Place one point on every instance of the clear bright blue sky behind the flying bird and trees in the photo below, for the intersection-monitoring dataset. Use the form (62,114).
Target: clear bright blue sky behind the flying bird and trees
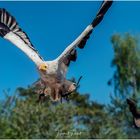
(52,26)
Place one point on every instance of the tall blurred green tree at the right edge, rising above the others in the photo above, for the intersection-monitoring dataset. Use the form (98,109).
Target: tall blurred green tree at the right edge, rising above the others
(126,83)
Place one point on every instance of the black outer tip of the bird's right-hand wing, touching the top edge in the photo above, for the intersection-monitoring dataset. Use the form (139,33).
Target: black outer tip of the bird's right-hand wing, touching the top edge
(103,9)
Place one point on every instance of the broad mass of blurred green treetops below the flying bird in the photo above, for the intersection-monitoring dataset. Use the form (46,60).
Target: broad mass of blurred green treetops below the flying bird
(27,118)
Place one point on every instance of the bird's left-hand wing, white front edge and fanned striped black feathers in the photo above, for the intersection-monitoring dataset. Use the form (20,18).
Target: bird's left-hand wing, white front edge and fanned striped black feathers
(10,30)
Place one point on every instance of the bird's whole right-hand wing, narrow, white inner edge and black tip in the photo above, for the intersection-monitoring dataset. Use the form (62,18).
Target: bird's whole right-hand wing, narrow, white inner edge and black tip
(70,54)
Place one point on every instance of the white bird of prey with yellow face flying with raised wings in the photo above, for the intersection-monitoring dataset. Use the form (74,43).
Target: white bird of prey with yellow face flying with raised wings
(52,73)
